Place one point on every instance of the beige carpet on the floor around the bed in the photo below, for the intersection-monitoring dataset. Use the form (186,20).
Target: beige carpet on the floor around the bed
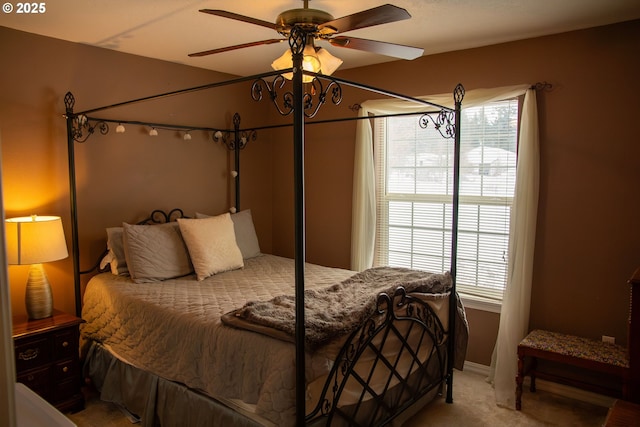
(473,405)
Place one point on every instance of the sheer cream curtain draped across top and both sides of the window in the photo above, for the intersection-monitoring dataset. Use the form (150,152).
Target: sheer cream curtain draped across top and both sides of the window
(514,318)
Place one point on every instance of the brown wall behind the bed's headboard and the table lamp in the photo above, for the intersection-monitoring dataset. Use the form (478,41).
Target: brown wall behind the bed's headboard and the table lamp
(120,177)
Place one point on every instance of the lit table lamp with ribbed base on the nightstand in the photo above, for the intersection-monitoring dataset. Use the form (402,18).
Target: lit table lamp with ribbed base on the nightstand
(33,240)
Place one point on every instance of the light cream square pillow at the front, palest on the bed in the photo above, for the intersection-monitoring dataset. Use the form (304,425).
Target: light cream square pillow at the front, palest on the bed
(212,244)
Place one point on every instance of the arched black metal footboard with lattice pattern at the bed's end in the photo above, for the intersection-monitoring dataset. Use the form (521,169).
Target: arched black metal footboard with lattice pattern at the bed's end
(387,365)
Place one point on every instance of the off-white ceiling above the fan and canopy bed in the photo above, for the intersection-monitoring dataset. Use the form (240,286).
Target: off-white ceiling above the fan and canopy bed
(170,29)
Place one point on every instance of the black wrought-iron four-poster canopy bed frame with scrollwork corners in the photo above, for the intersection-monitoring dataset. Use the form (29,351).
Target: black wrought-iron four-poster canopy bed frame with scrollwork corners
(302,105)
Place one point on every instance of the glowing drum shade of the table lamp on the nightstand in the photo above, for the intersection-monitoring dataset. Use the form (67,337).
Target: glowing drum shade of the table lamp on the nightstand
(35,239)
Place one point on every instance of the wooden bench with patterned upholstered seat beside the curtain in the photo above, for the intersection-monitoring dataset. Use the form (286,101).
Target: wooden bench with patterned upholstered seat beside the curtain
(610,359)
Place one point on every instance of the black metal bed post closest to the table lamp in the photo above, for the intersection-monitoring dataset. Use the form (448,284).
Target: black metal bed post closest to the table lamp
(69,102)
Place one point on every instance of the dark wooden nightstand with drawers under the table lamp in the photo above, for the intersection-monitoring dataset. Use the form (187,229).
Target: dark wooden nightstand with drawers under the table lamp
(47,358)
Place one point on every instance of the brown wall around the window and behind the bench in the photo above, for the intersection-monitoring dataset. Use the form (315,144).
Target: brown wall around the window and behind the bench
(588,235)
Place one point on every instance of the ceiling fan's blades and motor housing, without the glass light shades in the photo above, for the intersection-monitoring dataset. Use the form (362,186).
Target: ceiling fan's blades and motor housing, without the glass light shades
(320,25)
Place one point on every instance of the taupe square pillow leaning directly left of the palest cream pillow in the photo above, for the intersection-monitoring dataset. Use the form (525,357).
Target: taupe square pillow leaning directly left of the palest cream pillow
(155,252)
